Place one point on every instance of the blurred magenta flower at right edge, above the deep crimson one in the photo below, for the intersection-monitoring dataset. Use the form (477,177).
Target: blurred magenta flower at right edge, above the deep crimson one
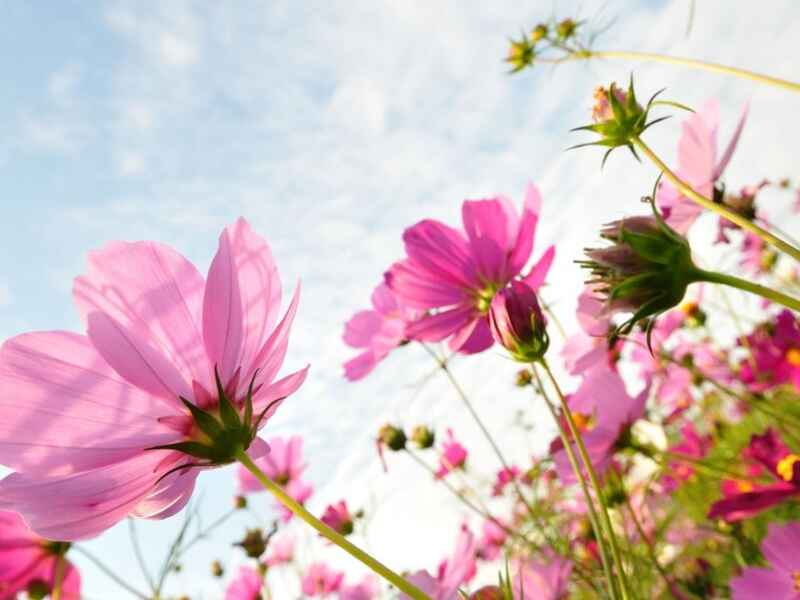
(775,354)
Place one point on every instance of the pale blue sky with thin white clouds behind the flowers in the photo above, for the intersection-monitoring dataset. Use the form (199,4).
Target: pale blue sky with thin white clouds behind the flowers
(332,126)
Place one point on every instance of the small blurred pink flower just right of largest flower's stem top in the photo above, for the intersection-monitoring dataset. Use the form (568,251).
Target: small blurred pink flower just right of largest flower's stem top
(284,465)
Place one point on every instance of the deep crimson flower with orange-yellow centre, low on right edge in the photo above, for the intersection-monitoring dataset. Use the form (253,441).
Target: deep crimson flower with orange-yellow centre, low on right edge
(744,499)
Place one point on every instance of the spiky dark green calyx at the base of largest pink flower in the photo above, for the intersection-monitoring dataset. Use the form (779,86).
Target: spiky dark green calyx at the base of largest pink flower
(219,434)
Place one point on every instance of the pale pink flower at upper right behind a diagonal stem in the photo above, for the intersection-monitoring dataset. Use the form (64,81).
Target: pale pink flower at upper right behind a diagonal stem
(697,165)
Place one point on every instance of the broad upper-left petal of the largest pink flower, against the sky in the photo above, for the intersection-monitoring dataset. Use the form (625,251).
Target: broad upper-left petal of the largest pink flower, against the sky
(152,291)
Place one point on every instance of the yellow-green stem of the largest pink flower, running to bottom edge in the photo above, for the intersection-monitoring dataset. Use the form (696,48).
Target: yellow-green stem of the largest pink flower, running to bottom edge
(379,568)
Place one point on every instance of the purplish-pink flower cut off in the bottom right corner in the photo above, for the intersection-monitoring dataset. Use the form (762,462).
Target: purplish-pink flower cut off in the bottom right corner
(779,581)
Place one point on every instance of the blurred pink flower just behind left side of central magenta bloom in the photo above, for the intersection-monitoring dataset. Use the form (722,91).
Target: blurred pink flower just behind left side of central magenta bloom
(377,332)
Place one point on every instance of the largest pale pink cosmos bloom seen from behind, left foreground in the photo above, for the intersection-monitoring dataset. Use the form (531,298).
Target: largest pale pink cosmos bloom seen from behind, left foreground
(114,423)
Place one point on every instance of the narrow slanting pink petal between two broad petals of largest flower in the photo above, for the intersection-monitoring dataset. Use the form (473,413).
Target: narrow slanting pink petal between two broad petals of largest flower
(135,359)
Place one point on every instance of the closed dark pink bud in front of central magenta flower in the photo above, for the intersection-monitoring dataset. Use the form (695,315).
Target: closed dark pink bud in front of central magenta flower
(517,322)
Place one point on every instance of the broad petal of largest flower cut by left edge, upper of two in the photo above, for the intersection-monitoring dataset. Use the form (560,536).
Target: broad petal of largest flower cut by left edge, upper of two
(83,413)
